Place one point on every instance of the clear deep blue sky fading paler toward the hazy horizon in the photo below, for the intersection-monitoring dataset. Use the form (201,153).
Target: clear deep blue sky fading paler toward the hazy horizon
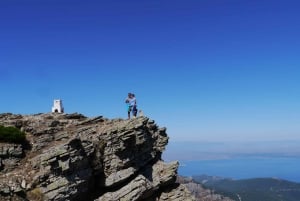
(208,70)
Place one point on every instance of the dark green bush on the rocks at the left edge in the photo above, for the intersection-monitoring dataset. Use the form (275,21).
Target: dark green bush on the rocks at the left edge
(11,134)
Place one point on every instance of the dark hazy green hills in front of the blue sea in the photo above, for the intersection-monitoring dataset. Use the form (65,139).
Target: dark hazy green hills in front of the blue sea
(258,189)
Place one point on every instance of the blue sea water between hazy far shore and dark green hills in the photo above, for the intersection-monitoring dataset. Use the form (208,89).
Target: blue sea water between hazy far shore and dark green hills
(287,168)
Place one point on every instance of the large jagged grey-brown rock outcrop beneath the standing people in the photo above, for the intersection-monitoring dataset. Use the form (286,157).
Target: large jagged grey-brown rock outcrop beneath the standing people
(72,157)
